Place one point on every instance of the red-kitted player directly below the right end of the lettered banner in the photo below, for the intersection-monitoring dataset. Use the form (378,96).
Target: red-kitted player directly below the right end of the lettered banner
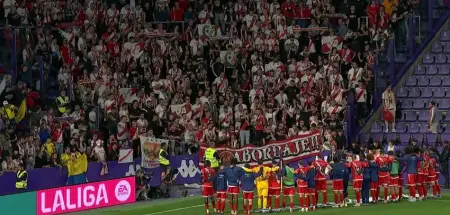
(321,183)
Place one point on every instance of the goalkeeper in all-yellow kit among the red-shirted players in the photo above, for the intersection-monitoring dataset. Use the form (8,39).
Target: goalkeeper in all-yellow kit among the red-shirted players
(262,185)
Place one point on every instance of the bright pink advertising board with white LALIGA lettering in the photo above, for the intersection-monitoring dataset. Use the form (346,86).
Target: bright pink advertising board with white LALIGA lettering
(86,196)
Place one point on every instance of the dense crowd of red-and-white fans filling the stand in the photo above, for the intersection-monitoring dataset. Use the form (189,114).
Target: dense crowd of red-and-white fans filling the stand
(193,71)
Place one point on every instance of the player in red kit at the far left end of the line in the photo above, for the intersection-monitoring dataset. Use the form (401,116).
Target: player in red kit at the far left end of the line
(207,189)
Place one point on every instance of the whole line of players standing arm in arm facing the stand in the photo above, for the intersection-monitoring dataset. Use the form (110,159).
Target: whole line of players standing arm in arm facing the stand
(369,175)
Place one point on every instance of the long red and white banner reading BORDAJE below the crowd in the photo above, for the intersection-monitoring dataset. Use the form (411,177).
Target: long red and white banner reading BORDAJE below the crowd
(293,149)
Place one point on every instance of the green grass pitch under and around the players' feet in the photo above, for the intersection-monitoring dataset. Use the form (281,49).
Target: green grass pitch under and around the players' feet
(194,206)
